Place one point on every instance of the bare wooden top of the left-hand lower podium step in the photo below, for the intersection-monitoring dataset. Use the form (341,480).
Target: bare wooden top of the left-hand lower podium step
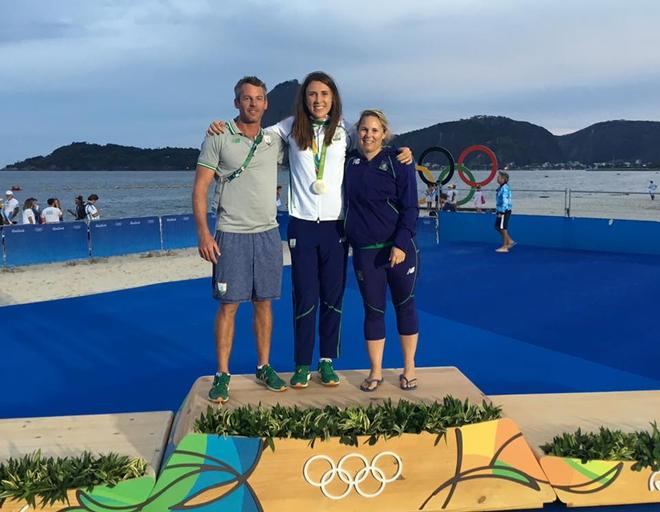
(136,435)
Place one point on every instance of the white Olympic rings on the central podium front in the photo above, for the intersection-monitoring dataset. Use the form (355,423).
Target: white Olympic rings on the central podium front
(352,481)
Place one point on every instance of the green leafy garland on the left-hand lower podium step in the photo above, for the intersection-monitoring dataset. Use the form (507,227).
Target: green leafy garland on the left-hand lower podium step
(35,477)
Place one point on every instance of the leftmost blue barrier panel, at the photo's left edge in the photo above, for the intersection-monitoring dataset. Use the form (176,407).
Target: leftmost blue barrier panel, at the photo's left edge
(45,243)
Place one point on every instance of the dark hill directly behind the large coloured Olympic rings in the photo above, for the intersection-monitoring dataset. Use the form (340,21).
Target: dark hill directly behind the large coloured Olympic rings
(512,141)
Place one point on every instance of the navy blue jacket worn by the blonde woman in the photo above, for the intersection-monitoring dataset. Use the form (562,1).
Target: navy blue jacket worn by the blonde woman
(381,197)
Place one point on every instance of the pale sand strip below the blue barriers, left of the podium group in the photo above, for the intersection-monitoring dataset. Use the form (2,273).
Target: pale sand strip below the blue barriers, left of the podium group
(36,283)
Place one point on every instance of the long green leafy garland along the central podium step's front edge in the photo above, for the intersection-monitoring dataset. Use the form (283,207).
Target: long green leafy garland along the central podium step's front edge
(376,420)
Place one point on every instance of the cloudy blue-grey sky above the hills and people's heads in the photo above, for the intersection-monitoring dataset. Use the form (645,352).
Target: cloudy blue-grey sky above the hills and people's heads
(154,73)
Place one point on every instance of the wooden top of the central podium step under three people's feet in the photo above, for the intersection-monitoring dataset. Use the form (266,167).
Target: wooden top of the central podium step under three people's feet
(434,384)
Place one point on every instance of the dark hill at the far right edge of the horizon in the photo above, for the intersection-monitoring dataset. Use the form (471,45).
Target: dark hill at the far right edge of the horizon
(613,141)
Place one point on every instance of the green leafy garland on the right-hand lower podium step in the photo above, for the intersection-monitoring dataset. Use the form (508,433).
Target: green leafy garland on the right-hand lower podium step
(642,447)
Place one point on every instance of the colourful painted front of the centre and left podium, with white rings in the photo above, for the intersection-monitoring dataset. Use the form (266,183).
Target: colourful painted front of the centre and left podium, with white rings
(486,466)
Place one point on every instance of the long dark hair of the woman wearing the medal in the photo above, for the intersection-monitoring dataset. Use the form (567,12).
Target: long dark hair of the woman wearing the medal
(302,125)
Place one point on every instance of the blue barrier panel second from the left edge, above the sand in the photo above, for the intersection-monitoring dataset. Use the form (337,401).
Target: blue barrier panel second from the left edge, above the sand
(113,237)
